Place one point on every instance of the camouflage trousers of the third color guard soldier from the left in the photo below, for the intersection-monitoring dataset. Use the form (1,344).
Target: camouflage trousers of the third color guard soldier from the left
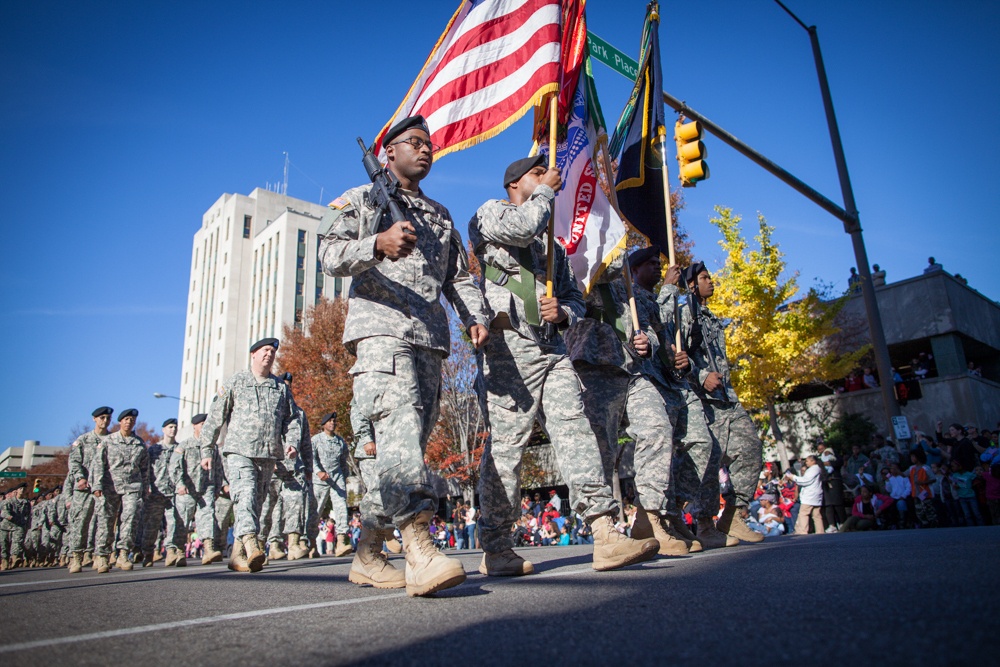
(610,396)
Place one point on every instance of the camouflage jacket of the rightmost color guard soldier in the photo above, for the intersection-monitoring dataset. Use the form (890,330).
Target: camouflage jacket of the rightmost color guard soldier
(710,355)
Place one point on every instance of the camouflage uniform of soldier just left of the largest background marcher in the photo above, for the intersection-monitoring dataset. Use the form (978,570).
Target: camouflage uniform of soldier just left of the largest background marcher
(198,504)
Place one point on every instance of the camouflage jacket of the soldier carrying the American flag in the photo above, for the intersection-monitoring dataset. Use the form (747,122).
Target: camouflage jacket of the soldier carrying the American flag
(499,231)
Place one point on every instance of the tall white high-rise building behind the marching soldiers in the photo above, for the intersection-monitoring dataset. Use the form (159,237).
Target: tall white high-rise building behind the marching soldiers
(253,270)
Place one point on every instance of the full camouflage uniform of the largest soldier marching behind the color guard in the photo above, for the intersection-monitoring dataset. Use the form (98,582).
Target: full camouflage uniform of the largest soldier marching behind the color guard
(261,420)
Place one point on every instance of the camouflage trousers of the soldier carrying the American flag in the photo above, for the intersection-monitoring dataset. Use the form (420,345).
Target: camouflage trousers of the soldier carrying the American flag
(520,382)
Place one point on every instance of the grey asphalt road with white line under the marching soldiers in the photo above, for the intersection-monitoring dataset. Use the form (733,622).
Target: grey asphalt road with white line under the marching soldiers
(918,597)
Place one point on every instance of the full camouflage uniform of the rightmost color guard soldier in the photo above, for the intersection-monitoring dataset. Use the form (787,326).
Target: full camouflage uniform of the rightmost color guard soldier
(742,450)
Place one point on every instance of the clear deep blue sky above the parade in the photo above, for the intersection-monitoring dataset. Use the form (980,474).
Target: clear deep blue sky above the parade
(120,123)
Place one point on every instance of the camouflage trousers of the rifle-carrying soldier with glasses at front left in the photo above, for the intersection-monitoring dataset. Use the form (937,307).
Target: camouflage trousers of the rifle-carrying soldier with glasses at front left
(397,387)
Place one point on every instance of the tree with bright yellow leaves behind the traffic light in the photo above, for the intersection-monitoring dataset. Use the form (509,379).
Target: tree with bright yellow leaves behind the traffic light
(776,340)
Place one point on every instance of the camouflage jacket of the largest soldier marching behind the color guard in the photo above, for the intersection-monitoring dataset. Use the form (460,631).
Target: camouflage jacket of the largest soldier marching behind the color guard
(260,415)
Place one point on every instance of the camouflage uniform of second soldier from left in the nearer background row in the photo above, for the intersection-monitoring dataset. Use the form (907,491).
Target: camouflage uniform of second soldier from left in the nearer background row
(122,474)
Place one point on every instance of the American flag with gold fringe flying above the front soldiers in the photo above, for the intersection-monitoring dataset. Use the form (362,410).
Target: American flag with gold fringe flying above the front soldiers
(495,60)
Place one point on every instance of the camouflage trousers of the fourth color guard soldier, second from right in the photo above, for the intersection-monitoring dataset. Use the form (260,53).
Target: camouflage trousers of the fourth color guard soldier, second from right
(697,457)
